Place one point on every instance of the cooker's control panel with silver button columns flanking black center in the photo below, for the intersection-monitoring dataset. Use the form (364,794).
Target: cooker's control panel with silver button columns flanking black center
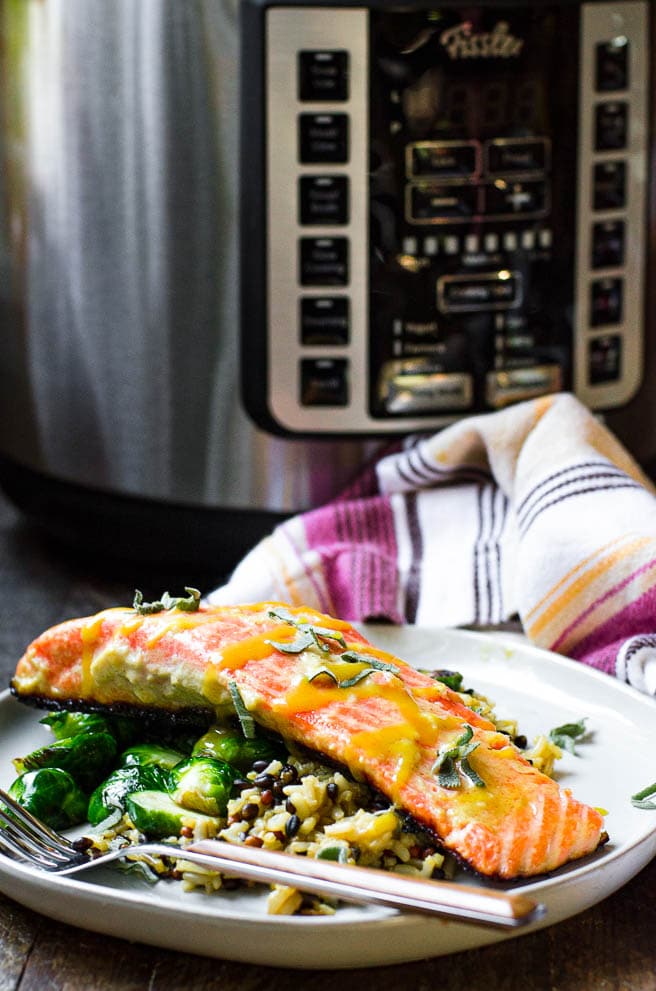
(454,210)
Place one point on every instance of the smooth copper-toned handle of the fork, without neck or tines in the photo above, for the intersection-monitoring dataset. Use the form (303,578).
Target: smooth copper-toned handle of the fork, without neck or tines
(364,884)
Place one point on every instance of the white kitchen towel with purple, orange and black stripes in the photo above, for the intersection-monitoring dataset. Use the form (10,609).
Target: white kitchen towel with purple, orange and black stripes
(536,511)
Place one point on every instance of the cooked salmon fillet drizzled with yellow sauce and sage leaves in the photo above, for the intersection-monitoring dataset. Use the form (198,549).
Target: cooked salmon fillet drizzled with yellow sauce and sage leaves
(316,680)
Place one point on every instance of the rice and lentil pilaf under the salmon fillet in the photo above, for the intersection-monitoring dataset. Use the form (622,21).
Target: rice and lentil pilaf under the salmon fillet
(304,806)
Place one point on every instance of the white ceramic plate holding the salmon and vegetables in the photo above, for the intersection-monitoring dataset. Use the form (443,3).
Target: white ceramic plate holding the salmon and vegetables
(542,690)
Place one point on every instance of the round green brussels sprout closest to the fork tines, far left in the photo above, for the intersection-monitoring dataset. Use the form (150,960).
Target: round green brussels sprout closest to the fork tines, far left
(52,796)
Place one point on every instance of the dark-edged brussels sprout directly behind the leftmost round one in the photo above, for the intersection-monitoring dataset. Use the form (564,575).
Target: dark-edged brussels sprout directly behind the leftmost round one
(87,757)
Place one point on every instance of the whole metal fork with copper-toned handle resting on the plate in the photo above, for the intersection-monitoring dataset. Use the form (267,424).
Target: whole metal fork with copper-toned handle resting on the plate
(25,839)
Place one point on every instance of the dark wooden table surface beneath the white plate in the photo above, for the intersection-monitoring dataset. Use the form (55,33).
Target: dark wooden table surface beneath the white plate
(611,947)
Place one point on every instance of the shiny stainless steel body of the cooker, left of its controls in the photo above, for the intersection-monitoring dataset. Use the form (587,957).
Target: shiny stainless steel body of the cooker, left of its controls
(118,259)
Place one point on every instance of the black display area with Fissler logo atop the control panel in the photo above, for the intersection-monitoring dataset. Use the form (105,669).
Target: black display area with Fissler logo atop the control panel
(460,75)
